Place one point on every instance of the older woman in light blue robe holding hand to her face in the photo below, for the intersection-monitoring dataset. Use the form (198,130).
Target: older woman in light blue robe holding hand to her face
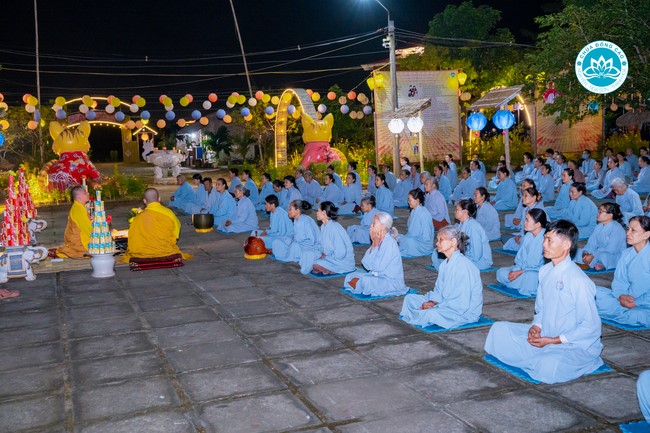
(385,276)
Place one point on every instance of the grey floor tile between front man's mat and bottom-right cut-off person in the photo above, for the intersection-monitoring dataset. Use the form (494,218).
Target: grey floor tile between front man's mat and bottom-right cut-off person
(588,392)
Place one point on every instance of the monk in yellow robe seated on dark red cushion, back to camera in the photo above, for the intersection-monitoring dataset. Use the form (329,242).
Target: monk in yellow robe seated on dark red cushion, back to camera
(153,235)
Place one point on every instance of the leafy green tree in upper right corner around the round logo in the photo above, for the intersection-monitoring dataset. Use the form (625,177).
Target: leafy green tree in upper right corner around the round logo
(623,22)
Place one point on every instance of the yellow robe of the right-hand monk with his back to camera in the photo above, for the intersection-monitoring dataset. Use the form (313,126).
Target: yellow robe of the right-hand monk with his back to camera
(153,234)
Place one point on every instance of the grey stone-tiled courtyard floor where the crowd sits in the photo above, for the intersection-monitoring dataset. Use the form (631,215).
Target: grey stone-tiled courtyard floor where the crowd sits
(225,344)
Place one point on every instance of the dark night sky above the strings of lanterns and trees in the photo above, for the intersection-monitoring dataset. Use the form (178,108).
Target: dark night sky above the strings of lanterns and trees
(174,47)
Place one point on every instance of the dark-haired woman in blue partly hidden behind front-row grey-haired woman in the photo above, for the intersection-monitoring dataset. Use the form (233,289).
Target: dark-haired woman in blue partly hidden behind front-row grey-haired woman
(478,248)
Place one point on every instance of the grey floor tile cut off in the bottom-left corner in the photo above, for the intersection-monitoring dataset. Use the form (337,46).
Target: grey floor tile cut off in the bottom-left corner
(31,414)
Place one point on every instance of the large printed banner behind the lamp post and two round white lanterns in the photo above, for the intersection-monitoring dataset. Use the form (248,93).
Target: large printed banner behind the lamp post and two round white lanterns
(441,131)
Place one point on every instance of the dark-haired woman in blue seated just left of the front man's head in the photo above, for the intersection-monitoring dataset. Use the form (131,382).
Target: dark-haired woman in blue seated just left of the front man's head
(523,276)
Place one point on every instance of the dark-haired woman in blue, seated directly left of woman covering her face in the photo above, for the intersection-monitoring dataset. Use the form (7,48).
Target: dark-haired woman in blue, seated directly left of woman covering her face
(337,255)
